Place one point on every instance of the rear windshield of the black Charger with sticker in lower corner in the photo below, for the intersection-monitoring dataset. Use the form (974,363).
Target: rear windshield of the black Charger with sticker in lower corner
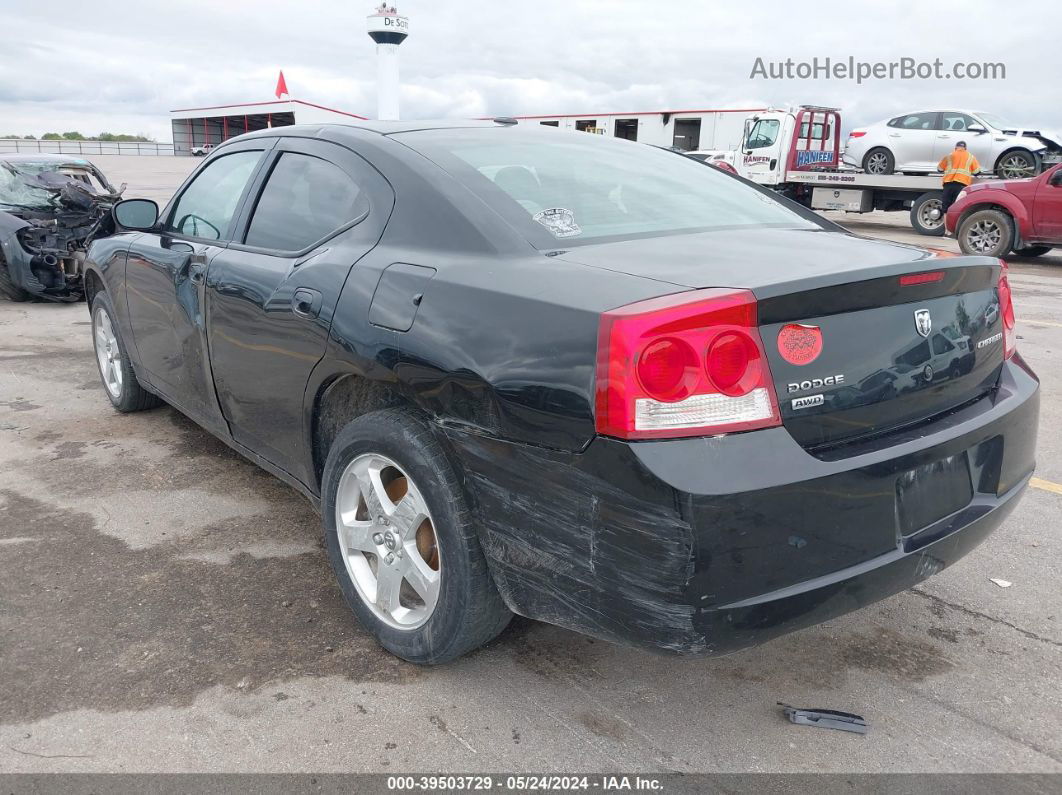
(571,188)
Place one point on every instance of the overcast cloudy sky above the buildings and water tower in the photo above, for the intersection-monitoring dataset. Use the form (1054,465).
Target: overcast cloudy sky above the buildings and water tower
(122,66)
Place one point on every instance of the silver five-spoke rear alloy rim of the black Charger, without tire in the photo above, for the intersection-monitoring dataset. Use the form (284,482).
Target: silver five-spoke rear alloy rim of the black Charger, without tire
(388,542)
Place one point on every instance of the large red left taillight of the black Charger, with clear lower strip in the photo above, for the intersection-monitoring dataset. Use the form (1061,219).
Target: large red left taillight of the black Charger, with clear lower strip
(683,366)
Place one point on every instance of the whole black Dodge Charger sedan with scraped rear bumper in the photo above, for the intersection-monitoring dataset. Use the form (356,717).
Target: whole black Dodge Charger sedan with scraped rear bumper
(584,381)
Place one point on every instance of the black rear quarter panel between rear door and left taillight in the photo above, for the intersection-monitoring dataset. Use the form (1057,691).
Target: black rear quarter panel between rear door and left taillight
(504,347)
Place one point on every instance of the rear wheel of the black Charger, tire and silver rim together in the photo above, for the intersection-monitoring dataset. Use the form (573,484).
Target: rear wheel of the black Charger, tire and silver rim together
(442,601)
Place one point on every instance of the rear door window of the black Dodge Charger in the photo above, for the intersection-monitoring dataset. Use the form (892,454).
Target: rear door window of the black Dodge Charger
(304,201)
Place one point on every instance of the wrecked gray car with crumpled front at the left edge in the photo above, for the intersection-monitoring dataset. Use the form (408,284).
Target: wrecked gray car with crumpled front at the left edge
(52,209)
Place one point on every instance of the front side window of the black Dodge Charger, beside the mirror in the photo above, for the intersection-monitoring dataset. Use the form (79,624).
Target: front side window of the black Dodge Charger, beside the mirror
(208,206)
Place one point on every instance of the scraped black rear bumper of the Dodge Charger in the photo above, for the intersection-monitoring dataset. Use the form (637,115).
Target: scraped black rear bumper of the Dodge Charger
(713,545)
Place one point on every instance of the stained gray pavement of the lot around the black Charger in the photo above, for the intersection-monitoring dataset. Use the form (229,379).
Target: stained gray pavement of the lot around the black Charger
(166,606)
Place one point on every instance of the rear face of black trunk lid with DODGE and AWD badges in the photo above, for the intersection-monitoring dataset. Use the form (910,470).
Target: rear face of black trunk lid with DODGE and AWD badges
(896,351)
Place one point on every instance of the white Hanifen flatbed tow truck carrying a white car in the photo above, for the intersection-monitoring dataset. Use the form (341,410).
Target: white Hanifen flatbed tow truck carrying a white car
(797,152)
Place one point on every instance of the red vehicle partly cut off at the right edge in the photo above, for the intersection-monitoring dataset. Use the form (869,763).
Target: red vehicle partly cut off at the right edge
(999,217)
